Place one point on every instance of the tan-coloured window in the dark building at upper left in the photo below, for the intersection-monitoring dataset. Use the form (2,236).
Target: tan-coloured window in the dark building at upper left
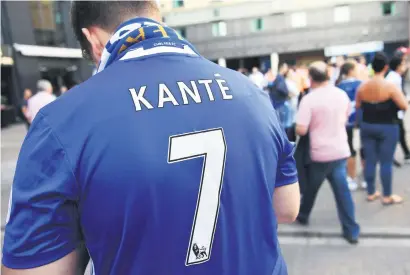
(47,22)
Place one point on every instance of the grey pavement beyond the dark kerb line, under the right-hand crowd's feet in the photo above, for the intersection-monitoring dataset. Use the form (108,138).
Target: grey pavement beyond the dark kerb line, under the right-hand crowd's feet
(374,219)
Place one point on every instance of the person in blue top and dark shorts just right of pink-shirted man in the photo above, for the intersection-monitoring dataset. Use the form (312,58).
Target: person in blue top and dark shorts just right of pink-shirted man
(348,82)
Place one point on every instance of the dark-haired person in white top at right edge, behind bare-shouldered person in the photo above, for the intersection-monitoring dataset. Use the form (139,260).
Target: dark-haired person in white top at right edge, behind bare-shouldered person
(397,69)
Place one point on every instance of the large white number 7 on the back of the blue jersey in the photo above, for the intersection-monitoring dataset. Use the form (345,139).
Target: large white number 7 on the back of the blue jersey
(209,144)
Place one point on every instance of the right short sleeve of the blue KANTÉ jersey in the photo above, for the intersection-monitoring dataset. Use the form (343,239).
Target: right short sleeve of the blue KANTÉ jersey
(286,172)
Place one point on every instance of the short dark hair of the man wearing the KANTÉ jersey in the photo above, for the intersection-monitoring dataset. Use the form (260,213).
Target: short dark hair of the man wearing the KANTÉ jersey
(107,15)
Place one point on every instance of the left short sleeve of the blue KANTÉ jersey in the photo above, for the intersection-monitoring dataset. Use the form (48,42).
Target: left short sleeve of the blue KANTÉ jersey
(42,224)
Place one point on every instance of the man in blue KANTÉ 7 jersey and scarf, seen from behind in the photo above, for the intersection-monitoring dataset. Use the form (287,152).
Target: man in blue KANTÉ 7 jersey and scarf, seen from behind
(161,163)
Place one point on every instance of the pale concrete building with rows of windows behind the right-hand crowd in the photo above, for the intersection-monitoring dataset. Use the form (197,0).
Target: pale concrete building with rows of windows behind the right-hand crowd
(246,33)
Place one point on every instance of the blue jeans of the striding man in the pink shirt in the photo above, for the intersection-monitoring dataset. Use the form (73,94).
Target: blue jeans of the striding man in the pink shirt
(335,172)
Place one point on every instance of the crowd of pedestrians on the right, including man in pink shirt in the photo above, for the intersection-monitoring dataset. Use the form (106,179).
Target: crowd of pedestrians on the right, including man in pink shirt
(325,105)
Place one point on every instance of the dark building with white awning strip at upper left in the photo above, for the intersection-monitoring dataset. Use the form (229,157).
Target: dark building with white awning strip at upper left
(37,42)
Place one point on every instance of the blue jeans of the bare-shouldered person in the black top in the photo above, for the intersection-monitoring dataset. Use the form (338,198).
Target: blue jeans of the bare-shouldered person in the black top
(379,143)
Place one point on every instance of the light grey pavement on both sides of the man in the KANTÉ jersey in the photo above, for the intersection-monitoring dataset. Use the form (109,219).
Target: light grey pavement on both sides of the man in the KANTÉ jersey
(316,249)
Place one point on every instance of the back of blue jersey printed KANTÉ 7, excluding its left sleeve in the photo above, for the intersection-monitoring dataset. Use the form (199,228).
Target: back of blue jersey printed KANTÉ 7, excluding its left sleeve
(176,160)
